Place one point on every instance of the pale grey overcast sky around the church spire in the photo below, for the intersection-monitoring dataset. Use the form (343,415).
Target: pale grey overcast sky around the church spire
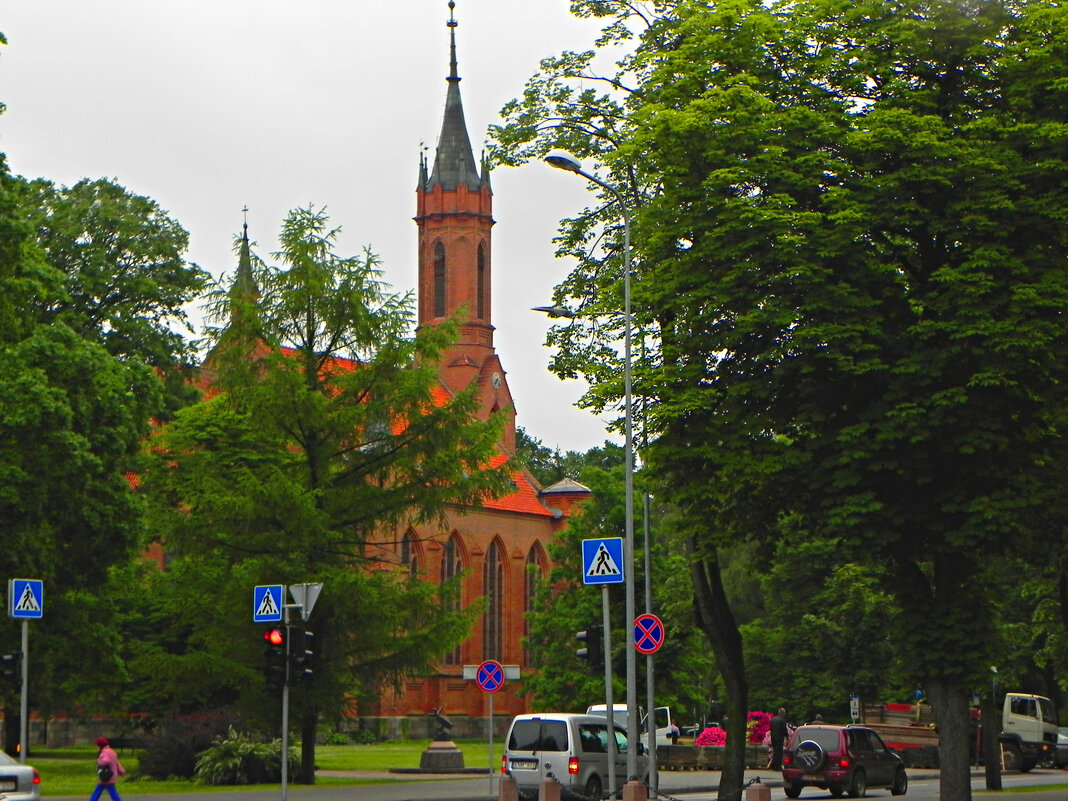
(210,106)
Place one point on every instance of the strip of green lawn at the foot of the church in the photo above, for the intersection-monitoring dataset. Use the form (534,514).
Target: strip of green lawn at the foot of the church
(72,772)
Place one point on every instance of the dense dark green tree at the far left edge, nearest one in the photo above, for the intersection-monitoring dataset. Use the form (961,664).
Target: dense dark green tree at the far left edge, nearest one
(72,421)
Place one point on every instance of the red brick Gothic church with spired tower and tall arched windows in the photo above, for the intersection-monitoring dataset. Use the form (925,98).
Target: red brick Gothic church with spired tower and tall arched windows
(502,547)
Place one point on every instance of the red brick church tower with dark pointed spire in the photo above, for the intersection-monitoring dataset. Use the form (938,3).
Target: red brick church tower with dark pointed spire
(456,215)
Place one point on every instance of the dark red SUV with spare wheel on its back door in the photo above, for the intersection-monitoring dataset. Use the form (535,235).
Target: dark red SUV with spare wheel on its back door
(841,760)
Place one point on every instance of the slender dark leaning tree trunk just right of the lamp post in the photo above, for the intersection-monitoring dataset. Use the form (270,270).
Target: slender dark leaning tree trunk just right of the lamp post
(717,622)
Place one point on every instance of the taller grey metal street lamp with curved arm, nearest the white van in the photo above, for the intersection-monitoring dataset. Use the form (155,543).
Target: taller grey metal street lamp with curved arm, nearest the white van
(570,164)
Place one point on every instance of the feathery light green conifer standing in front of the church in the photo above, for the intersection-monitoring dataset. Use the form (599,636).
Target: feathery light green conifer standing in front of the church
(324,437)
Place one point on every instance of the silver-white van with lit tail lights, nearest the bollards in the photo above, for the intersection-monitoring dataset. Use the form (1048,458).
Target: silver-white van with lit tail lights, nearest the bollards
(572,747)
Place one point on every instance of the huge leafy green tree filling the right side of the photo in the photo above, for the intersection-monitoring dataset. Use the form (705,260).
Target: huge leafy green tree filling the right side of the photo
(850,224)
